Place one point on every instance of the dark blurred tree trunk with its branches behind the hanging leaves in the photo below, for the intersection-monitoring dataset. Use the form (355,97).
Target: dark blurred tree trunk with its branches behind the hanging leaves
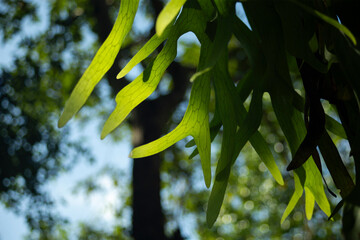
(148,122)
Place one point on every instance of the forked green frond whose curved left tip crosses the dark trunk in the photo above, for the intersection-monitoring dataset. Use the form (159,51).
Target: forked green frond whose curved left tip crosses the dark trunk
(196,119)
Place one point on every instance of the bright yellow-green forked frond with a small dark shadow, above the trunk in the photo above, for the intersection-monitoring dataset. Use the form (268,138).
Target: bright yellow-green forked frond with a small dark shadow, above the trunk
(145,84)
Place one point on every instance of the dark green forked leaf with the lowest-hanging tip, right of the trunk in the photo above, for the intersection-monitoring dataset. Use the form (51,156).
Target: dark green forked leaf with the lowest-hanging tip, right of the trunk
(234,141)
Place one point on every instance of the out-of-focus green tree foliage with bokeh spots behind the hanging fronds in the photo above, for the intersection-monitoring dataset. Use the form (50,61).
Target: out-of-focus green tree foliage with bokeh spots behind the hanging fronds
(52,51)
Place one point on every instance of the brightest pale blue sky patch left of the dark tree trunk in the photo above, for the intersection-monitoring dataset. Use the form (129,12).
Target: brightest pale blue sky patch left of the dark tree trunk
(96,208)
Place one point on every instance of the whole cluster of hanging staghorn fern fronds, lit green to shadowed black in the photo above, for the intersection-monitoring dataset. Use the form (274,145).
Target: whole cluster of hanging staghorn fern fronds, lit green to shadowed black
(286,39)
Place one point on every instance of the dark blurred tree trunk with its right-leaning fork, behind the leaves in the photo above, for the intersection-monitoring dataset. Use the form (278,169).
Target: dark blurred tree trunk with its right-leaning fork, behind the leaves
(149,123)
